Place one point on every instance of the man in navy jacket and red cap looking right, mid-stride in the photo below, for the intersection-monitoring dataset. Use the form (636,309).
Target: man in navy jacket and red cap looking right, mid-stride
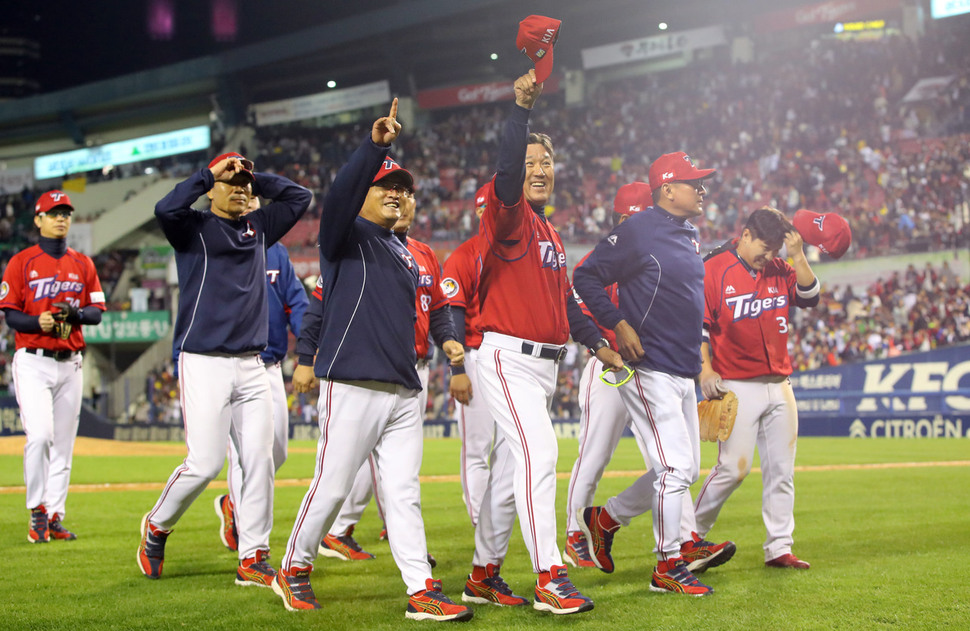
(654,257)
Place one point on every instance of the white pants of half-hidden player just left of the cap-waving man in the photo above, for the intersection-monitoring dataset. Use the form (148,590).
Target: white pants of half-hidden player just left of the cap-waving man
(477,432)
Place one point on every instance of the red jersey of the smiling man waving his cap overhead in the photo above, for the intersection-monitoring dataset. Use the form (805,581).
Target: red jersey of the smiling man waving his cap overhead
(523,283)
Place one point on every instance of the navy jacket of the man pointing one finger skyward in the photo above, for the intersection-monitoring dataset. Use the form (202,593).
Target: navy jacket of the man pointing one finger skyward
(368,281)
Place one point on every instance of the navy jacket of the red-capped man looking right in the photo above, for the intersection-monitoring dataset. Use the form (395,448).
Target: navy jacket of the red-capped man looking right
(655,257)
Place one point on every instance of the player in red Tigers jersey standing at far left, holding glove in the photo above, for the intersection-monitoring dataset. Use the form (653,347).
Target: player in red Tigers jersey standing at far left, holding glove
(49,290)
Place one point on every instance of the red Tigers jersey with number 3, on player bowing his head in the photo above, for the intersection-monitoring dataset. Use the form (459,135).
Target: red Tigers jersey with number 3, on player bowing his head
(748,318)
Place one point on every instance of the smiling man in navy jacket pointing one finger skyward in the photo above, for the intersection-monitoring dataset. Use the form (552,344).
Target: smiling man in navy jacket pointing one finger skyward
(366,362)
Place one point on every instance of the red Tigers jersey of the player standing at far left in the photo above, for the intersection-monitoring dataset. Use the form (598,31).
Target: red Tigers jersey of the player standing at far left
(33,281)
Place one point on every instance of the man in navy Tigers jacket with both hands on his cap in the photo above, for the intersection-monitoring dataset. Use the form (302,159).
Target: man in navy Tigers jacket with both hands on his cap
(220,329)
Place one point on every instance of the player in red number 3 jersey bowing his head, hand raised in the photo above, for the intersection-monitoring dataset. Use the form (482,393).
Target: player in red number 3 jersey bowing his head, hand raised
(749,293)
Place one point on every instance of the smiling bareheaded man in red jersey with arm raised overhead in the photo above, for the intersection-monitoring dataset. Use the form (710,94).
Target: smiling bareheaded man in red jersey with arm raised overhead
(522,293)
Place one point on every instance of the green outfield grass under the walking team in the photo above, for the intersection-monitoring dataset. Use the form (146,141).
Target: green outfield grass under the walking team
(888,545)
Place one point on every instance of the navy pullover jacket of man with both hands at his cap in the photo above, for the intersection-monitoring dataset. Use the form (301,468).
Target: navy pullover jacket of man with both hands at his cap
(222,263)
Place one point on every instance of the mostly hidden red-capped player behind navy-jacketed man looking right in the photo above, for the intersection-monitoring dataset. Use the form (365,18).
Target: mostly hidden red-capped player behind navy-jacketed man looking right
(603,417)
